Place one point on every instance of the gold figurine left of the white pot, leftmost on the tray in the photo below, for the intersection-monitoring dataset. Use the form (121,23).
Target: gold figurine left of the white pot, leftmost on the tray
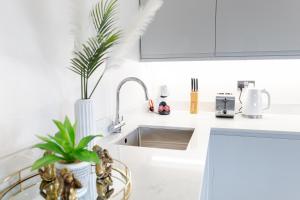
(50,186)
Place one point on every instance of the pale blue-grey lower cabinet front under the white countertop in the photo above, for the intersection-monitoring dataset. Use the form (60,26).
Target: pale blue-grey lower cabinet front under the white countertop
(250,167)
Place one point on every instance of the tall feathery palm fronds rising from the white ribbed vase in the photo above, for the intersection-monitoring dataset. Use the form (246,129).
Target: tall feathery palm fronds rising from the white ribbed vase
(94,53)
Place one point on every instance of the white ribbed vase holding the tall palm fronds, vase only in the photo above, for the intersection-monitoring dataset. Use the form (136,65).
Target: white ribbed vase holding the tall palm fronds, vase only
(85,119)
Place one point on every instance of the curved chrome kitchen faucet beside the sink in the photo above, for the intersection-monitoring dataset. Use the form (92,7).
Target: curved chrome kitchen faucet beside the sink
(118,123)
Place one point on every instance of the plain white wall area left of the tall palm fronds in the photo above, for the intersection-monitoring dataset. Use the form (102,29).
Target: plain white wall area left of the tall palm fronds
(35,85)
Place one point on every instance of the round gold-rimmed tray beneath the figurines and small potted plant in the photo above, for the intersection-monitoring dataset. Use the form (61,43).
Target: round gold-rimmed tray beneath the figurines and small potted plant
(24,184)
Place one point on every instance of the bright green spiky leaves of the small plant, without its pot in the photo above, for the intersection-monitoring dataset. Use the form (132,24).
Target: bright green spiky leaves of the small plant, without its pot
(64,148)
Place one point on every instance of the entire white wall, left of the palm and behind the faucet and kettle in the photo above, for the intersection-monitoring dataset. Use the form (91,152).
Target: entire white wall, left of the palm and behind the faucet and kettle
(35,85)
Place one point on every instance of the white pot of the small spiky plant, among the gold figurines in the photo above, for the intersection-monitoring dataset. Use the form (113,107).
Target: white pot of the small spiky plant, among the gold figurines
(81,171)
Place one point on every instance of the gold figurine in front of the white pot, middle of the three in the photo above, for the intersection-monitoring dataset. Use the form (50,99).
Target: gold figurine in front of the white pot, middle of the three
(70,184)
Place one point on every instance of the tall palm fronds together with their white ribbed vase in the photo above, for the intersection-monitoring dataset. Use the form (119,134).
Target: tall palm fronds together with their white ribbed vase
(90,58)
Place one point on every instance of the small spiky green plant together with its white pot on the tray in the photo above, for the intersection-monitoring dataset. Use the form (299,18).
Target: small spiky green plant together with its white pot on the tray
(67,154)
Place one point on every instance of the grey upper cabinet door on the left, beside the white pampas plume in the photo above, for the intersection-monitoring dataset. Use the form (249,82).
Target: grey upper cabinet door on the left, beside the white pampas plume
(180,30)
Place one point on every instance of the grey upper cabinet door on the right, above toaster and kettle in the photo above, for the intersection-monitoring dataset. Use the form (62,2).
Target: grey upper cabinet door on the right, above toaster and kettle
(258,27)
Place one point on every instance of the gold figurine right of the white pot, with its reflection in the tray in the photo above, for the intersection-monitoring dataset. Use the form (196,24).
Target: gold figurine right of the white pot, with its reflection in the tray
(103,172)
